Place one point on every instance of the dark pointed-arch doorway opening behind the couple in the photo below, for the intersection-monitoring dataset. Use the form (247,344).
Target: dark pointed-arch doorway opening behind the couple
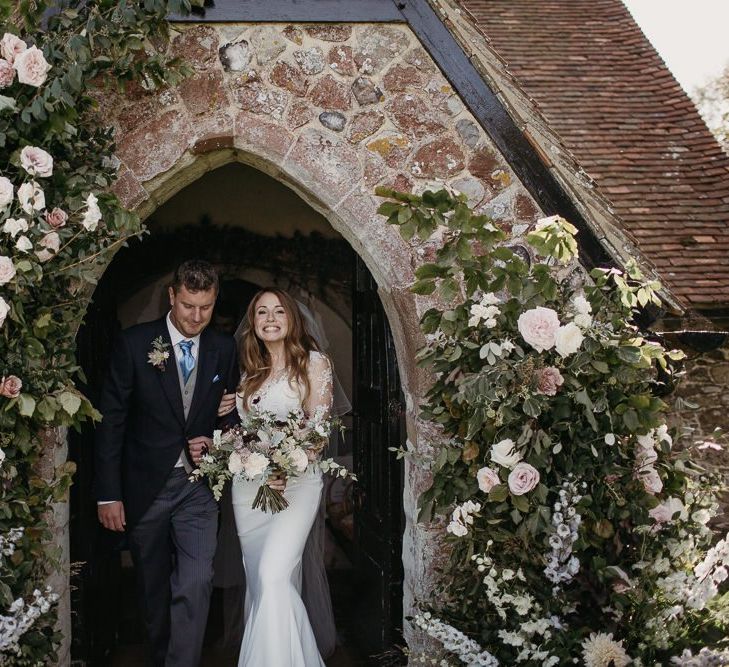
(276,238)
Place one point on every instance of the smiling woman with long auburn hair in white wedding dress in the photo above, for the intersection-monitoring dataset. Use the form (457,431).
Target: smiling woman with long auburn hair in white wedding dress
(283,371)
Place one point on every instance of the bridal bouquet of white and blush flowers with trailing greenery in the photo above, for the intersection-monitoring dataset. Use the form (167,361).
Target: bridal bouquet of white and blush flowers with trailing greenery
(265,447)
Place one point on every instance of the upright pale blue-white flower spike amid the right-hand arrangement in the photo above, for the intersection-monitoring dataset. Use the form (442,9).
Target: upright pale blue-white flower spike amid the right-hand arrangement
(562,566)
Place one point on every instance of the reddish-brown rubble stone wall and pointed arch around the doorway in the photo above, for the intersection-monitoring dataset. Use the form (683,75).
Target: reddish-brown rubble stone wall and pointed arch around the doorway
(388,117)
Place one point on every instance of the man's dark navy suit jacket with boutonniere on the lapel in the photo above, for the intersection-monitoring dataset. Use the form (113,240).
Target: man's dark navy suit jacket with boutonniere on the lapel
(143,427)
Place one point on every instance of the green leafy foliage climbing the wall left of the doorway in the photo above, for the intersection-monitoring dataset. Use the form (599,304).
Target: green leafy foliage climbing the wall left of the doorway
(89,46)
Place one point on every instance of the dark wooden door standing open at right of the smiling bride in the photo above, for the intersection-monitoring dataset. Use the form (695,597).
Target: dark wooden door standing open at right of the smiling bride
(378,425)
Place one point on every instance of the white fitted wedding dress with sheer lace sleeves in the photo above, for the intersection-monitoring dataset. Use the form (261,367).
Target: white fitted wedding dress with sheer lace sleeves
(277,629)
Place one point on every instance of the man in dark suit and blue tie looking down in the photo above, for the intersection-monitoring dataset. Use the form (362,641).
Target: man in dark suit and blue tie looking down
(159,405)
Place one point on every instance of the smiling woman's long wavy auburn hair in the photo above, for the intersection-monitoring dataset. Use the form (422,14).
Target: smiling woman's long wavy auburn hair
(255,361)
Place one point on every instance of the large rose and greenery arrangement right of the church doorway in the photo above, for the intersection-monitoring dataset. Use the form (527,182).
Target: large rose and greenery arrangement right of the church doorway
(577,532)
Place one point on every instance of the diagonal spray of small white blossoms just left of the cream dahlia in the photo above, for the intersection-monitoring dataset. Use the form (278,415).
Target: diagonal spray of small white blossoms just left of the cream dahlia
(534,630)
